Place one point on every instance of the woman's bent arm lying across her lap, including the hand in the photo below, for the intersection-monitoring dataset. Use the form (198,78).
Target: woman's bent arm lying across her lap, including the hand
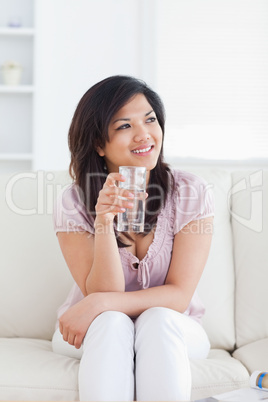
(190,252)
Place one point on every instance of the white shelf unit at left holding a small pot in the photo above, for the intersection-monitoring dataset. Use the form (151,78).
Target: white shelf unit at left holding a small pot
(16,102)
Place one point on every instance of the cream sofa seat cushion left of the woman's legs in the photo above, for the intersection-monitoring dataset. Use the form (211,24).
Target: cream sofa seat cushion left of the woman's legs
(29,370)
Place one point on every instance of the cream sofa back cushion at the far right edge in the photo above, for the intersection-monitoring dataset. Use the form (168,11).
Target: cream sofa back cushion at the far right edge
(249,201)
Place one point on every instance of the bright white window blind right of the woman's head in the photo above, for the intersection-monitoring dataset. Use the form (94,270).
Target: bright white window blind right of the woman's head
(212,59)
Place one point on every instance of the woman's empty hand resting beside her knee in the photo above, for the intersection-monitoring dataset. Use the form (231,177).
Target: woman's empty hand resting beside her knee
(74,323)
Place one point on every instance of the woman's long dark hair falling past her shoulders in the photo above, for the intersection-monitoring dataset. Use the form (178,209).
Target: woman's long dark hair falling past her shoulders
(89,130)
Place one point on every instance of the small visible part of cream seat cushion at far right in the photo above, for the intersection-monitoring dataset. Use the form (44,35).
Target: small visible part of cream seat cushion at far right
(254,356)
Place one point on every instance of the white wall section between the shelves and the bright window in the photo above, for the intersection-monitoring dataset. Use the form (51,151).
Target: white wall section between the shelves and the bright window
(78,43)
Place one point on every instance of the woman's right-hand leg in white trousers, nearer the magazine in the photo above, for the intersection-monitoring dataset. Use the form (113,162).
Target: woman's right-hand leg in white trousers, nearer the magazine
(165,340)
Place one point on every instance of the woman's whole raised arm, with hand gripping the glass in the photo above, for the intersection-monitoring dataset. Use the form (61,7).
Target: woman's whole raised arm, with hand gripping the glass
(94,260)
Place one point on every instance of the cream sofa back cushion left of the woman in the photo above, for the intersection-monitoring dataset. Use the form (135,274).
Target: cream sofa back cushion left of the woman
(33,276)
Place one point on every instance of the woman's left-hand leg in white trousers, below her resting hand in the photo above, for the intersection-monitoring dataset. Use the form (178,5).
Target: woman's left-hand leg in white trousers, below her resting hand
(106,370)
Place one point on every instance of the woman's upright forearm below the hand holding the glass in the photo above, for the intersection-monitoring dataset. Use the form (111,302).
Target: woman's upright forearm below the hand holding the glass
(106,274)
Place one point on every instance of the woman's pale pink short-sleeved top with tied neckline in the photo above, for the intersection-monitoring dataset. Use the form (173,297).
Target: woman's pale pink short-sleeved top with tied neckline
(192,200)
